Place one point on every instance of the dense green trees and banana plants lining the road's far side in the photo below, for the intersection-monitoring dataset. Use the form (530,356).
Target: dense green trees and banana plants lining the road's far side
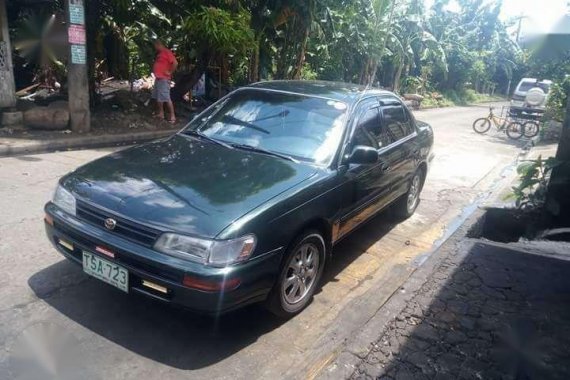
(449,55)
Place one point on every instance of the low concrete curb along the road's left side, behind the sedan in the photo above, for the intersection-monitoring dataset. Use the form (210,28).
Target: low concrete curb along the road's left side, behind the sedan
(83,142)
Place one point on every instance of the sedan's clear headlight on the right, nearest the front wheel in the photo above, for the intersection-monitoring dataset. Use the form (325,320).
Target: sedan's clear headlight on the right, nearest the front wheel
(213,252)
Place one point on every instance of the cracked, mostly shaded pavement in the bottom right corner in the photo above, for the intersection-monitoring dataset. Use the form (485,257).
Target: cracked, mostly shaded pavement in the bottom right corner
(490,312)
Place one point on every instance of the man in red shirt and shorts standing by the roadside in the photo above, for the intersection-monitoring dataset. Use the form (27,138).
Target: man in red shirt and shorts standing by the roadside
(164,65)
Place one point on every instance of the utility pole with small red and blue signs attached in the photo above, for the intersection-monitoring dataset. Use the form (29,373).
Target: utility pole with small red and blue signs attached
(77,77)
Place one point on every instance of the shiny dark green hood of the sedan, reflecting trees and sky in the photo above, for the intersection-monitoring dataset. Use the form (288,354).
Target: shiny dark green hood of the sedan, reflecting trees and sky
(185,184)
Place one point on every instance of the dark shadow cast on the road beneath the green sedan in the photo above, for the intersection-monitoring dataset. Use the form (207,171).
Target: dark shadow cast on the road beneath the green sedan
(169,335)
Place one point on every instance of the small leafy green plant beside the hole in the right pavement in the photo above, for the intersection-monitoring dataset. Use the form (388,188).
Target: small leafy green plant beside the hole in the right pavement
(533,176)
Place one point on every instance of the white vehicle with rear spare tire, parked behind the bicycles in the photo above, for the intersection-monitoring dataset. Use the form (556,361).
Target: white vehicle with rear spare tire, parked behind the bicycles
(530,96)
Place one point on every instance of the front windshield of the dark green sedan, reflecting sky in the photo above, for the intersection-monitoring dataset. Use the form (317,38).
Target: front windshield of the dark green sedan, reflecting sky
(305,128)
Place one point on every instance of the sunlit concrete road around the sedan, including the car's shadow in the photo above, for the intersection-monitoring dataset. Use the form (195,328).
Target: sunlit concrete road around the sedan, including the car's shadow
(119,337)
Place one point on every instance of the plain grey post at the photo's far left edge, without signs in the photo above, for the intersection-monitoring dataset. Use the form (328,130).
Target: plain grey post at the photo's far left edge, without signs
(7,85)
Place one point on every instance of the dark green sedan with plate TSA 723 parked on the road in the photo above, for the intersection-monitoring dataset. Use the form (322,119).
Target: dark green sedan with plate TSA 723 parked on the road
(246,203)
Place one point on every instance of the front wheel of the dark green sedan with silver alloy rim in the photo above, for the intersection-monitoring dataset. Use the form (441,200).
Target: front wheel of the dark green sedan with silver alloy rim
(299,277)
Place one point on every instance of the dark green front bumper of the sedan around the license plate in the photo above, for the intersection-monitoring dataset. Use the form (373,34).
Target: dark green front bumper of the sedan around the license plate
(256,277)
